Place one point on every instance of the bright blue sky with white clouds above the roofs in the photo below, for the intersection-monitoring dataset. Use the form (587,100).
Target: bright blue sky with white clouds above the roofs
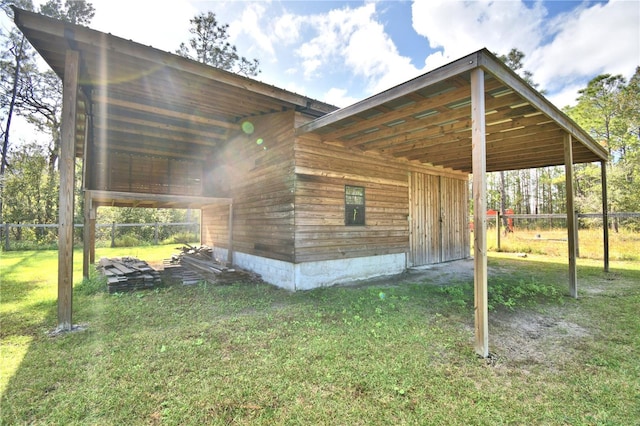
(344,51)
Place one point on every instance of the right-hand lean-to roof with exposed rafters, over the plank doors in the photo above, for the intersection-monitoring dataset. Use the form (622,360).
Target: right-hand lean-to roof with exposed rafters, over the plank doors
(428,120)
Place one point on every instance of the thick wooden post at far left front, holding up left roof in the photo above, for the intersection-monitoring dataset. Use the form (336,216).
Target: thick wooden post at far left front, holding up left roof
(65,206)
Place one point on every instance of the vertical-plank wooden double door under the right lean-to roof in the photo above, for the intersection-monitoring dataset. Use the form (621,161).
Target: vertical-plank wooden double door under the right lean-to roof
(438,219)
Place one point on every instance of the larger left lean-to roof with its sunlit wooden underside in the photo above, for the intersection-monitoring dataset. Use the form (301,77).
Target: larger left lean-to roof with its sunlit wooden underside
(146,101)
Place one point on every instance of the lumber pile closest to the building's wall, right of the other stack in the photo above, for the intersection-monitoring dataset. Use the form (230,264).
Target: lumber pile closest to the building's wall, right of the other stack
(194,264)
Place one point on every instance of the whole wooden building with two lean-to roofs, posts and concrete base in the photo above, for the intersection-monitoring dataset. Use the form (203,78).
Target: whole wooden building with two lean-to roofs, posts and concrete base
(299,191)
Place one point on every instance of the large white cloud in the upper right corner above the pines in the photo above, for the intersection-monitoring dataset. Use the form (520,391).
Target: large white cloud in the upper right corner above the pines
(604,38)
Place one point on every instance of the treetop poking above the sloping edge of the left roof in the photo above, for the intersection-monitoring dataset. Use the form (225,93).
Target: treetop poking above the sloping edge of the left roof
(210,46)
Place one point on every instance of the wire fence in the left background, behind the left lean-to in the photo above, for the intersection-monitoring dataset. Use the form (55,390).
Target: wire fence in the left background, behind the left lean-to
(29,236)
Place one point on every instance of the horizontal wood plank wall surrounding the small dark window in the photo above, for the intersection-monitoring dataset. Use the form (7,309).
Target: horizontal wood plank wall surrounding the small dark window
(322,171)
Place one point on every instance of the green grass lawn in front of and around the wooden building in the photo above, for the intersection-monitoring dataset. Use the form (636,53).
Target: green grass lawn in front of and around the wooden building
(396,352)
